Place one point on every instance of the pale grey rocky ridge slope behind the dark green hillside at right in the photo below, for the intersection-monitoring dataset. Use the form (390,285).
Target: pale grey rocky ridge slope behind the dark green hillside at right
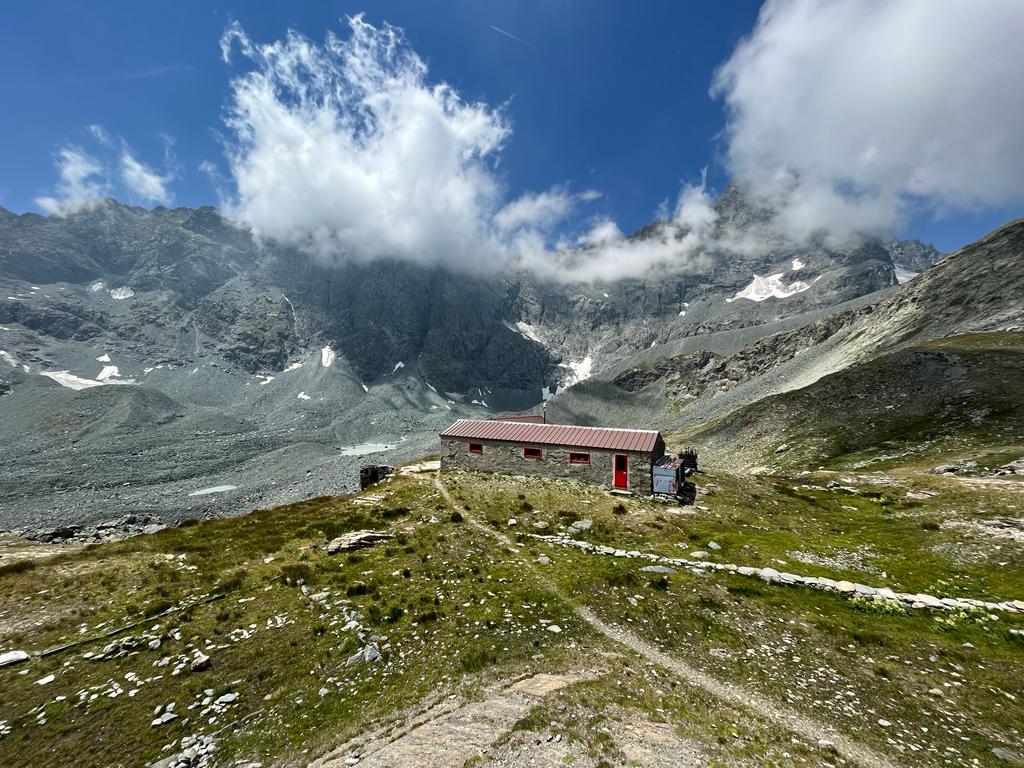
(686,387)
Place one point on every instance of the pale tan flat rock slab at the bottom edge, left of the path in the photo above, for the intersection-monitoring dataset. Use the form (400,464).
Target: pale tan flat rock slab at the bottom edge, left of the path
(448,736)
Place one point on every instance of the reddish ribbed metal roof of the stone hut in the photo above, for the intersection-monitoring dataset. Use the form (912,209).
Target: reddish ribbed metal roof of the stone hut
(556,435)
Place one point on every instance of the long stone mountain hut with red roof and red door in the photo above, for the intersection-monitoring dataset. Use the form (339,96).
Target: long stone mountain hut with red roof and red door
(618,458)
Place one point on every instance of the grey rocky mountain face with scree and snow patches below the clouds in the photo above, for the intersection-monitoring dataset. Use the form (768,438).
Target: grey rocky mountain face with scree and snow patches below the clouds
(274,374)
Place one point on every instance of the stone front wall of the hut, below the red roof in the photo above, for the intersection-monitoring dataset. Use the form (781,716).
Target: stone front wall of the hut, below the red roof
(506,458)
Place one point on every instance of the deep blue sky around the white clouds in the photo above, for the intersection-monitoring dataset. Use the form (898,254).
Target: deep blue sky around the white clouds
(603,96)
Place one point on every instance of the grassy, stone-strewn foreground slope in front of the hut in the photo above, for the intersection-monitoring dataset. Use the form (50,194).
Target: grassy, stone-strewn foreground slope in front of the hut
(465,639)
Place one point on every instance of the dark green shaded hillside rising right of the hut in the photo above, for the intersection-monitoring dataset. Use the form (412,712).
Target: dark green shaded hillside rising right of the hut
(958,398)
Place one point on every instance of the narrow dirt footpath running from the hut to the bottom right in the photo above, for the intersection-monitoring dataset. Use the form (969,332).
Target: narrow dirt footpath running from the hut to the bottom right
(813,731)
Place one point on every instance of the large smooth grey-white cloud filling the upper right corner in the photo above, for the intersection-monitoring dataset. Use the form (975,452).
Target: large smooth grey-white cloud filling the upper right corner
(851,115)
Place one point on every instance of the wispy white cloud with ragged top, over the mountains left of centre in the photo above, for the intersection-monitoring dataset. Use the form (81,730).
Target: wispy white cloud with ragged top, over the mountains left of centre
(347,151)
